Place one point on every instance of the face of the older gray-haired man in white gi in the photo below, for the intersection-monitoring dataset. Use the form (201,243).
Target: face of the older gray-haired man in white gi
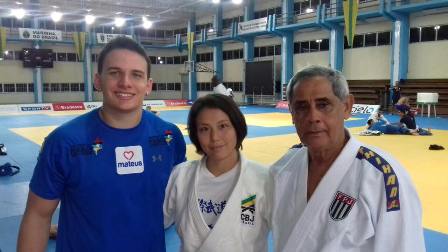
(319,115)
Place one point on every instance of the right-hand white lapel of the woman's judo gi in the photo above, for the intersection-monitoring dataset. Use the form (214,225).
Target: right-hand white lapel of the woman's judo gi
(228,218)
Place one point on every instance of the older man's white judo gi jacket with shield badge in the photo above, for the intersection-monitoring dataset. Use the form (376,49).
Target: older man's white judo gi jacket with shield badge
(365,202)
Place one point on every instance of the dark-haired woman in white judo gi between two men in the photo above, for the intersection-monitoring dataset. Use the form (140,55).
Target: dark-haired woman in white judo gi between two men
(218,203)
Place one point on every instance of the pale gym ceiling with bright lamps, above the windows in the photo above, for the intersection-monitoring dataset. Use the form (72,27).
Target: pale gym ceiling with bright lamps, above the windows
(164,12)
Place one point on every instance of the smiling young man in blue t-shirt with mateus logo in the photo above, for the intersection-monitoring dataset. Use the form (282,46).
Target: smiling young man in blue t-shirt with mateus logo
(108,168)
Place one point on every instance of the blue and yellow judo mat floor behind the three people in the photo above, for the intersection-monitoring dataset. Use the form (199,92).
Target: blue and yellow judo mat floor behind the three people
(270,134)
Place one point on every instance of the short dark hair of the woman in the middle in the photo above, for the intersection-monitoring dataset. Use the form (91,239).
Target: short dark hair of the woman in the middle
(226,105)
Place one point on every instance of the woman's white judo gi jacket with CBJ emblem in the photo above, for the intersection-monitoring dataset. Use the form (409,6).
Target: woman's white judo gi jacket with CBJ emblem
(237,228)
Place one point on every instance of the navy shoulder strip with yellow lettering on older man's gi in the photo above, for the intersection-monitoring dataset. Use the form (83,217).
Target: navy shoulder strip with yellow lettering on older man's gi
(390,178)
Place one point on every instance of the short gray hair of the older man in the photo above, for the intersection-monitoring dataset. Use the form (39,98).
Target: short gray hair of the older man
(336,79)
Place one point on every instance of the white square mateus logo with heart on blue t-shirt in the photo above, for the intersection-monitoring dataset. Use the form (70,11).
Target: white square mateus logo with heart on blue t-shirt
(129,159)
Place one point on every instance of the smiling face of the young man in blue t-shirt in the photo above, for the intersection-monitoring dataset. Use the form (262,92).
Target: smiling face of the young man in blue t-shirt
(123,81)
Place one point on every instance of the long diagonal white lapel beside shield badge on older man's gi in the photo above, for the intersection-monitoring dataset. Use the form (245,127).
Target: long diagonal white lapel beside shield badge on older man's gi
(322,196)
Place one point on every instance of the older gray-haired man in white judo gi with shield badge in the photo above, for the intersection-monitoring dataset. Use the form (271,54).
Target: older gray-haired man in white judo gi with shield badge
(333,193)
